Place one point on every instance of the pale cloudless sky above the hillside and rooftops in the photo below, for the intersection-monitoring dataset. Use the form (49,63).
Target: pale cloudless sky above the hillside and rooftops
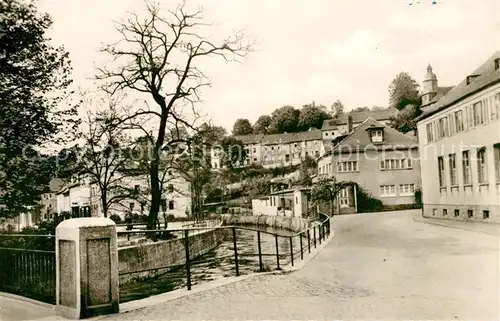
(316,50)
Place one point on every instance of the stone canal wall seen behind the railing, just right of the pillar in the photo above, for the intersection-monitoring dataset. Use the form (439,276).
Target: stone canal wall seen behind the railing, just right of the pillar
(143,261)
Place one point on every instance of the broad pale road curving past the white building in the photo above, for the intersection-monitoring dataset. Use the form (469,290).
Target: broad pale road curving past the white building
(378,266)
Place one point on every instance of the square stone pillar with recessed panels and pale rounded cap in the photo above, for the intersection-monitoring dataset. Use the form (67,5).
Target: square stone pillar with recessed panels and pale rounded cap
(87,281)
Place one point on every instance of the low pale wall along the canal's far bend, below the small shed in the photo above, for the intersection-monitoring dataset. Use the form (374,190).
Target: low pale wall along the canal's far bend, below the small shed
(295,224)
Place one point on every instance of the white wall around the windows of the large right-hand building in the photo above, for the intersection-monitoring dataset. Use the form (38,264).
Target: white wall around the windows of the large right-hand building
(476,197)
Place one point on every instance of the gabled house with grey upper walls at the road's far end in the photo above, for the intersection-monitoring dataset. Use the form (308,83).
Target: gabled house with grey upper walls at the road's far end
(382,161)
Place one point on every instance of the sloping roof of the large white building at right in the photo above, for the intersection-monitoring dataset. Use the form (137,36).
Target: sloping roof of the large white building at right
(487,76)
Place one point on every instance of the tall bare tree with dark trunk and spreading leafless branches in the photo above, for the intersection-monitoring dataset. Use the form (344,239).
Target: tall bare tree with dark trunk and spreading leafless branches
(160,56)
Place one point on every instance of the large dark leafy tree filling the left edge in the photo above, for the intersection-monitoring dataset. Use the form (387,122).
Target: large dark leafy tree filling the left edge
(34,78)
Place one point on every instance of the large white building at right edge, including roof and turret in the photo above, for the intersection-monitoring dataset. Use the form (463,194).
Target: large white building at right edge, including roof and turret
(459,137)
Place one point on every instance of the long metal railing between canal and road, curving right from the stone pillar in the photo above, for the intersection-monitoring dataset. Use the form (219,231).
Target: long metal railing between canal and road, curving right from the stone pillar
(243,250)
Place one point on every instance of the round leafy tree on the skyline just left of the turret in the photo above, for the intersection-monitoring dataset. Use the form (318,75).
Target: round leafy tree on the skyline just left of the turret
(403,91)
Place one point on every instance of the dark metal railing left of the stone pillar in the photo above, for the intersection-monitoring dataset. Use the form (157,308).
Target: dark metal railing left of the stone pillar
(28,266)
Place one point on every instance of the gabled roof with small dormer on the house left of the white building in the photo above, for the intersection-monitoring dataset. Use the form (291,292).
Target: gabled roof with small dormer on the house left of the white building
(359,139)
